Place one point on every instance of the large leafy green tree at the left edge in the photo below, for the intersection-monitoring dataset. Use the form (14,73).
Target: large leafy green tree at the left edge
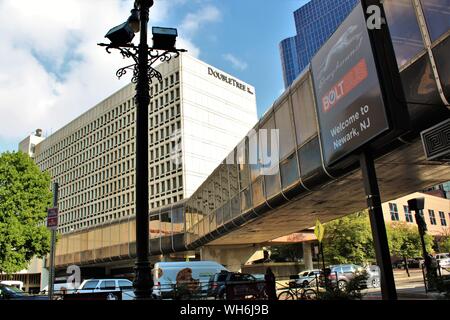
(24,198)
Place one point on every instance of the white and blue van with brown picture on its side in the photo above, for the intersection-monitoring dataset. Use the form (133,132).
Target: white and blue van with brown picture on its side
(193,276)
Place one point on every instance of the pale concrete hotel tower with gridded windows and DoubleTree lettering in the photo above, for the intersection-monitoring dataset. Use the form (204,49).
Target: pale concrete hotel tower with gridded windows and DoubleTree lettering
(196,116)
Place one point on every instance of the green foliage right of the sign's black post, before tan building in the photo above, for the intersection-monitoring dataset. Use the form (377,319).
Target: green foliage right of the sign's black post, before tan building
(404,240)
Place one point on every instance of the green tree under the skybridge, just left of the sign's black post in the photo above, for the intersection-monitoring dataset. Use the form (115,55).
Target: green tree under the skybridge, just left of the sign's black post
(349,240)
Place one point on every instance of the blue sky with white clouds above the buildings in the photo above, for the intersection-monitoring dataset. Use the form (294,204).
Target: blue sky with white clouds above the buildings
(51,69)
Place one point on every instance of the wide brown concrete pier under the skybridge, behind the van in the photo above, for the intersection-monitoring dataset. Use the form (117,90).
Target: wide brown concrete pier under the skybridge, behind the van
(232,257)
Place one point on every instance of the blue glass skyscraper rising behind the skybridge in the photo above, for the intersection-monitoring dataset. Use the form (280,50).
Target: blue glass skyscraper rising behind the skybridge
(315,22)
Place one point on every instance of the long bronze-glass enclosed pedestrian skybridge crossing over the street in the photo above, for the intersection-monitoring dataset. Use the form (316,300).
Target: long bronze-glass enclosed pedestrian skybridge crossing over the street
(239,204)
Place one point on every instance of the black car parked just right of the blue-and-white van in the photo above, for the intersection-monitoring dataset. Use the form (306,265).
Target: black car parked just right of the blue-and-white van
(218,282)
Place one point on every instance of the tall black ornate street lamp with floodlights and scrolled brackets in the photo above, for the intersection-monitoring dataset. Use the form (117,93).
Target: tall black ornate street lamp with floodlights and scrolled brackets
(143,73)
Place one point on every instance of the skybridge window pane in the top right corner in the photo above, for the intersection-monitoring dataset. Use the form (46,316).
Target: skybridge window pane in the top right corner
(437,15)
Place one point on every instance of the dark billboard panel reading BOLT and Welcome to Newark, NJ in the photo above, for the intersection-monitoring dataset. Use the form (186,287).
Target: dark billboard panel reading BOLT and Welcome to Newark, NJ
(350,105)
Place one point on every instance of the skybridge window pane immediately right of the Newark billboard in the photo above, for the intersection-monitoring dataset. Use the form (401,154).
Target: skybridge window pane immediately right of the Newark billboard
(404,29)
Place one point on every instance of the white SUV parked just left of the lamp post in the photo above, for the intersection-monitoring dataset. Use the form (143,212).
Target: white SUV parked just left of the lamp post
(122,286)
